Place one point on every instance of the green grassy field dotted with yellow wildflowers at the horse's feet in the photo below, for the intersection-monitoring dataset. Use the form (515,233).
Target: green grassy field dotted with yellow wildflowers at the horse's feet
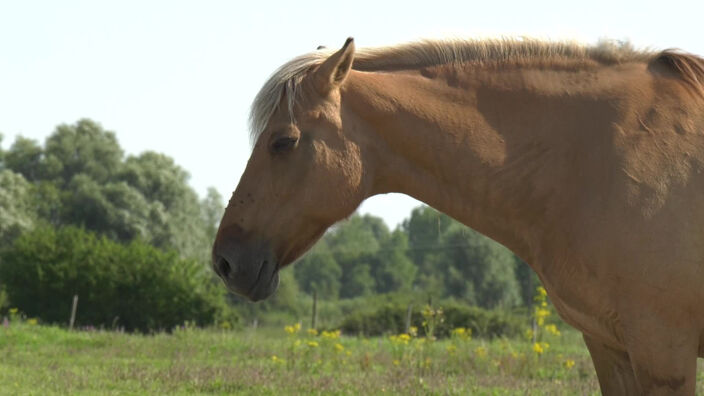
(44,360)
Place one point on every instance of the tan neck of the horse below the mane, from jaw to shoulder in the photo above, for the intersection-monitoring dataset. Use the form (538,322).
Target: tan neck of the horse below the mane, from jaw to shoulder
(473,150)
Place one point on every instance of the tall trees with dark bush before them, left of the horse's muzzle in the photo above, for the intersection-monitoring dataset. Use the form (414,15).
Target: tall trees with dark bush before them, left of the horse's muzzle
(127,234)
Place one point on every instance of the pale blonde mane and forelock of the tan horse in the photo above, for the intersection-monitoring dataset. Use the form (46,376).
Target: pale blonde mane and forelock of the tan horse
(285,80)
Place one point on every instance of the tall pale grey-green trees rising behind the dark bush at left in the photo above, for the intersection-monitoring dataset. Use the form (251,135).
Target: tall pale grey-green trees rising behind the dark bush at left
(80,177)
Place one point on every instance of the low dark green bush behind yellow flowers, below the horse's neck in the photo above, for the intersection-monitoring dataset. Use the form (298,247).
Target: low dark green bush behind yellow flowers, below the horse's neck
(390,318)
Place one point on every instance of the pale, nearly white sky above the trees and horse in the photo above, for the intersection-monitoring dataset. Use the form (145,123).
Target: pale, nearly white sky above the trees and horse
(178,77)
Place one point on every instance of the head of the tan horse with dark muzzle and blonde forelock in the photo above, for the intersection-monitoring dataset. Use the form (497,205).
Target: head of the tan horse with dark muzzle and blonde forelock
(304,174)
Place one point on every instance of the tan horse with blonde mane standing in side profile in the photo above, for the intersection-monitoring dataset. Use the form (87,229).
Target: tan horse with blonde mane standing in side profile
(585,161)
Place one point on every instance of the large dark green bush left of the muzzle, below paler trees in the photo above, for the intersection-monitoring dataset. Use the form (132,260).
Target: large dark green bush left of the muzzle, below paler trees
(135,286)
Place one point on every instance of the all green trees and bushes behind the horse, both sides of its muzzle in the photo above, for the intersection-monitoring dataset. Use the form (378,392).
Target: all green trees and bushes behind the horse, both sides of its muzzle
(132,239)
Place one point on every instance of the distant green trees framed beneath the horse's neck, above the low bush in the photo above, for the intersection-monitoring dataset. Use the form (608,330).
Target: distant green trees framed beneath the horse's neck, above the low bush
(428,254)
